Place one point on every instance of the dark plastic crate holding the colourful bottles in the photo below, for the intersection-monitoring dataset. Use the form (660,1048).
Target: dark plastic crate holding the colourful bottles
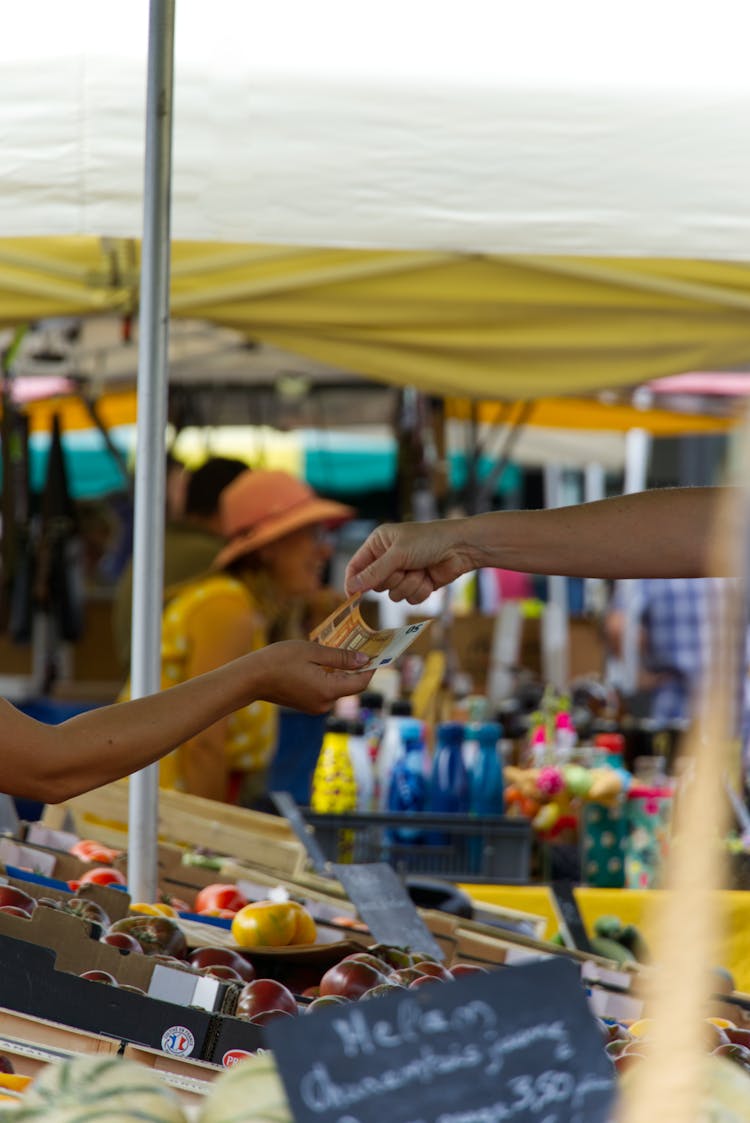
(463,848)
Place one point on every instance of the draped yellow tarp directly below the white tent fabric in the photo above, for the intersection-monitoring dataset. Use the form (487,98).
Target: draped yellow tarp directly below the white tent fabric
(513,327)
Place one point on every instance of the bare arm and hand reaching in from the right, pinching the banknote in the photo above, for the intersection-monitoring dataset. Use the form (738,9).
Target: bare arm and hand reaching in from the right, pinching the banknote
(656,534)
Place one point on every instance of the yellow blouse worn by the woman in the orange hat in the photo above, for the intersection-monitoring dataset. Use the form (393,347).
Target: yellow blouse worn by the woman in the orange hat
(194,623)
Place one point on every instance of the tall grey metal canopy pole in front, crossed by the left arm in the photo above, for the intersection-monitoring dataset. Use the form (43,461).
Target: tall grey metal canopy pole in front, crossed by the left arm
(149,527)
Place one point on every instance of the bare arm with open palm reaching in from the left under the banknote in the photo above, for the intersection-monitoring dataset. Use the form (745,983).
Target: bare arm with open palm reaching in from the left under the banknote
(54,763)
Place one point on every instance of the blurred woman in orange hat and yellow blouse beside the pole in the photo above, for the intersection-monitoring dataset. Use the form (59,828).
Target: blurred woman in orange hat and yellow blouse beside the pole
(273,562)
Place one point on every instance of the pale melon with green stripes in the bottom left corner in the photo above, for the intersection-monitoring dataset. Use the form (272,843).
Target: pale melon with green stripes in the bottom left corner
(94,1089)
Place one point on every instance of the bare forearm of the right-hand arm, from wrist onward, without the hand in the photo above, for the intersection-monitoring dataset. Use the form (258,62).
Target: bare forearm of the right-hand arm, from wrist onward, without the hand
(661,533)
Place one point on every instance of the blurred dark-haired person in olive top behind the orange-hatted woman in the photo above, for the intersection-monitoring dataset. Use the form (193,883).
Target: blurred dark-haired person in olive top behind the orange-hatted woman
(193,537)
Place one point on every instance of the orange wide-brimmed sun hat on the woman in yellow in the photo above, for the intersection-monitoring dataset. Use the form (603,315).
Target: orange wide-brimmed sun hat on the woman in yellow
(259,508)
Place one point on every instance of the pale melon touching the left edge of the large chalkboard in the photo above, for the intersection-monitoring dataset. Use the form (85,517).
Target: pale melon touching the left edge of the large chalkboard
(250,1092)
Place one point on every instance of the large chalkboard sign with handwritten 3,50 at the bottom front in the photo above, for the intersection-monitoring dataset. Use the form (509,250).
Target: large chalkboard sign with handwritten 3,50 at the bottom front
(519,1044)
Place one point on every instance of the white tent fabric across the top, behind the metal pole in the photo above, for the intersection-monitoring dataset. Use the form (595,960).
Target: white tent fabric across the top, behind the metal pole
(495,127)
